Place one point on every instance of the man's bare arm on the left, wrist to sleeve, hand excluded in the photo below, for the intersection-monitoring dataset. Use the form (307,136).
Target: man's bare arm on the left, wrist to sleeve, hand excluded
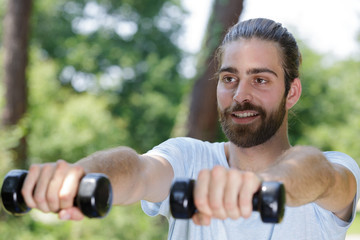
(134,177)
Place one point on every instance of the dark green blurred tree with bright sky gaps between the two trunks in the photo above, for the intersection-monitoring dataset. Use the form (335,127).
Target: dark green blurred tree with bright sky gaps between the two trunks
(124,50)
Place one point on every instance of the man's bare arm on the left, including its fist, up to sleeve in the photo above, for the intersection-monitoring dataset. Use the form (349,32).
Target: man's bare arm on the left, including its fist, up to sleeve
(52,187)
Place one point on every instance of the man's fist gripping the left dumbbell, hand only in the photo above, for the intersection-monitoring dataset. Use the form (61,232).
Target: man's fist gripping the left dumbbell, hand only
(52,187)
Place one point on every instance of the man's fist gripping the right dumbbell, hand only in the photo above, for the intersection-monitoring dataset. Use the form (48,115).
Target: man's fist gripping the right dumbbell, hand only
(224,193)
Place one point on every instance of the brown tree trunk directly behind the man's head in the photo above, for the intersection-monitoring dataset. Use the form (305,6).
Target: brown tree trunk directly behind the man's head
(203,116)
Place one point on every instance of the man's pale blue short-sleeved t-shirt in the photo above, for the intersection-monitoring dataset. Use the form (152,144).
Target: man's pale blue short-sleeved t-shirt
(188,156)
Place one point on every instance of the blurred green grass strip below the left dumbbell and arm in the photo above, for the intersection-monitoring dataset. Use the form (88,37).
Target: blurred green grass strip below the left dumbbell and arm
(125,223)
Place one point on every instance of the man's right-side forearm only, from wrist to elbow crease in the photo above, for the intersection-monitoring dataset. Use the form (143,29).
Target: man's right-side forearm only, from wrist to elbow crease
(306,174)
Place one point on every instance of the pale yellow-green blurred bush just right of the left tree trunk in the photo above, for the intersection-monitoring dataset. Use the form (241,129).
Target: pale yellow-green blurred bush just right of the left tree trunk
(66,125)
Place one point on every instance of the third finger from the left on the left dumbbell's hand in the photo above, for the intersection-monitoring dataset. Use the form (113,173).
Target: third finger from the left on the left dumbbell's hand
(55,184)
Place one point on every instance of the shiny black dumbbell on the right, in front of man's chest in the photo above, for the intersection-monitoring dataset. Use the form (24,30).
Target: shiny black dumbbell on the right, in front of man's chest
(269,200)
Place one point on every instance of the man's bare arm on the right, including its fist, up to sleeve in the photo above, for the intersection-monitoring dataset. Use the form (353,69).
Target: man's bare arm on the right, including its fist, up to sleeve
(307,175)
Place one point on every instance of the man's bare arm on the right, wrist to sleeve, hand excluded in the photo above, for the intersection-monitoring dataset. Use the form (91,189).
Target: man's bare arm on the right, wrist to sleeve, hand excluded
(309,177)
